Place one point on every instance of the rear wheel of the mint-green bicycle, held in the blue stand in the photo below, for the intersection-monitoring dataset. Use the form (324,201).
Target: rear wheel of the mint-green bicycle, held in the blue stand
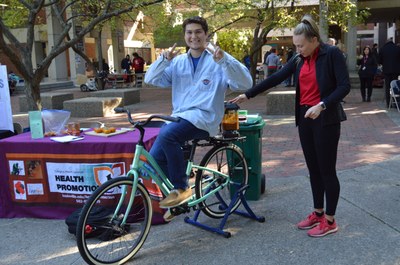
(228,160)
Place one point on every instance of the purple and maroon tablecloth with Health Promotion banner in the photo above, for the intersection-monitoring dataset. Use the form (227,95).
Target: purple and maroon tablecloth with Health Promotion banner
(31,184)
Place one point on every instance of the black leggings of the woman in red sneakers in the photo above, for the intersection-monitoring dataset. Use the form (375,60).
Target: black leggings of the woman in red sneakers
(320,145)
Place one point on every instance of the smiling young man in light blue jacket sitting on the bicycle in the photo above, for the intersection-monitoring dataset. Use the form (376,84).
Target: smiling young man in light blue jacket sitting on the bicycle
(199,80)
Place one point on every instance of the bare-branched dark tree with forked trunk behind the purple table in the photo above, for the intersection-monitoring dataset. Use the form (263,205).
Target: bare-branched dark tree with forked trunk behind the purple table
(21,54)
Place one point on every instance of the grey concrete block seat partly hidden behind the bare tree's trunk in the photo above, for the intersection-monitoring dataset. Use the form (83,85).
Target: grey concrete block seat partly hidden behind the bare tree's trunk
(50,100)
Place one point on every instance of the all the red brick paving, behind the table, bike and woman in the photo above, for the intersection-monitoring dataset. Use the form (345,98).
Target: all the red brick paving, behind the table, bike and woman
(368,136)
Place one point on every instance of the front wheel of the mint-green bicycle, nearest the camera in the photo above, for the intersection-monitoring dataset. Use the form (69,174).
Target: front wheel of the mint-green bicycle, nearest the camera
(109,240)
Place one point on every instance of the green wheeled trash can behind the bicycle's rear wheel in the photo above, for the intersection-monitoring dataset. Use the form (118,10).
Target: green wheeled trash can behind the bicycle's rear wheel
(252,149)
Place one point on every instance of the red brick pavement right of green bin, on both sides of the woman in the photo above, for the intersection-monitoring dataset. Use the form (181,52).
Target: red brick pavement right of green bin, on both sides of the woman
(368,136)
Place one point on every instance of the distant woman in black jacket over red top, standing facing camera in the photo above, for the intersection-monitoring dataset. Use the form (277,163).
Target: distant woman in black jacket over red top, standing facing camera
(368,65)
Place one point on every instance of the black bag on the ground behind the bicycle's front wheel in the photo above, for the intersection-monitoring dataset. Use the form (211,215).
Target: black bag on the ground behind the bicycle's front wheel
(99,215)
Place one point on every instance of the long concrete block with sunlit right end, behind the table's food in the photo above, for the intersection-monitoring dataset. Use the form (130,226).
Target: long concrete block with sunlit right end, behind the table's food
(92,106)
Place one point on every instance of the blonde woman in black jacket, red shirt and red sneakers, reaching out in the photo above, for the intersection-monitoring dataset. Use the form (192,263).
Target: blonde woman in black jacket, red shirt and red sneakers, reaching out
(322,81)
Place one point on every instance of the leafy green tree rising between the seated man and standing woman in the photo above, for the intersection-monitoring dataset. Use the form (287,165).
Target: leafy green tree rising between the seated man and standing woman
(263,16)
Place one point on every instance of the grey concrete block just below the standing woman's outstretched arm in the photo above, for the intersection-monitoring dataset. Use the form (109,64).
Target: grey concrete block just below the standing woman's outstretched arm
(281,102)
